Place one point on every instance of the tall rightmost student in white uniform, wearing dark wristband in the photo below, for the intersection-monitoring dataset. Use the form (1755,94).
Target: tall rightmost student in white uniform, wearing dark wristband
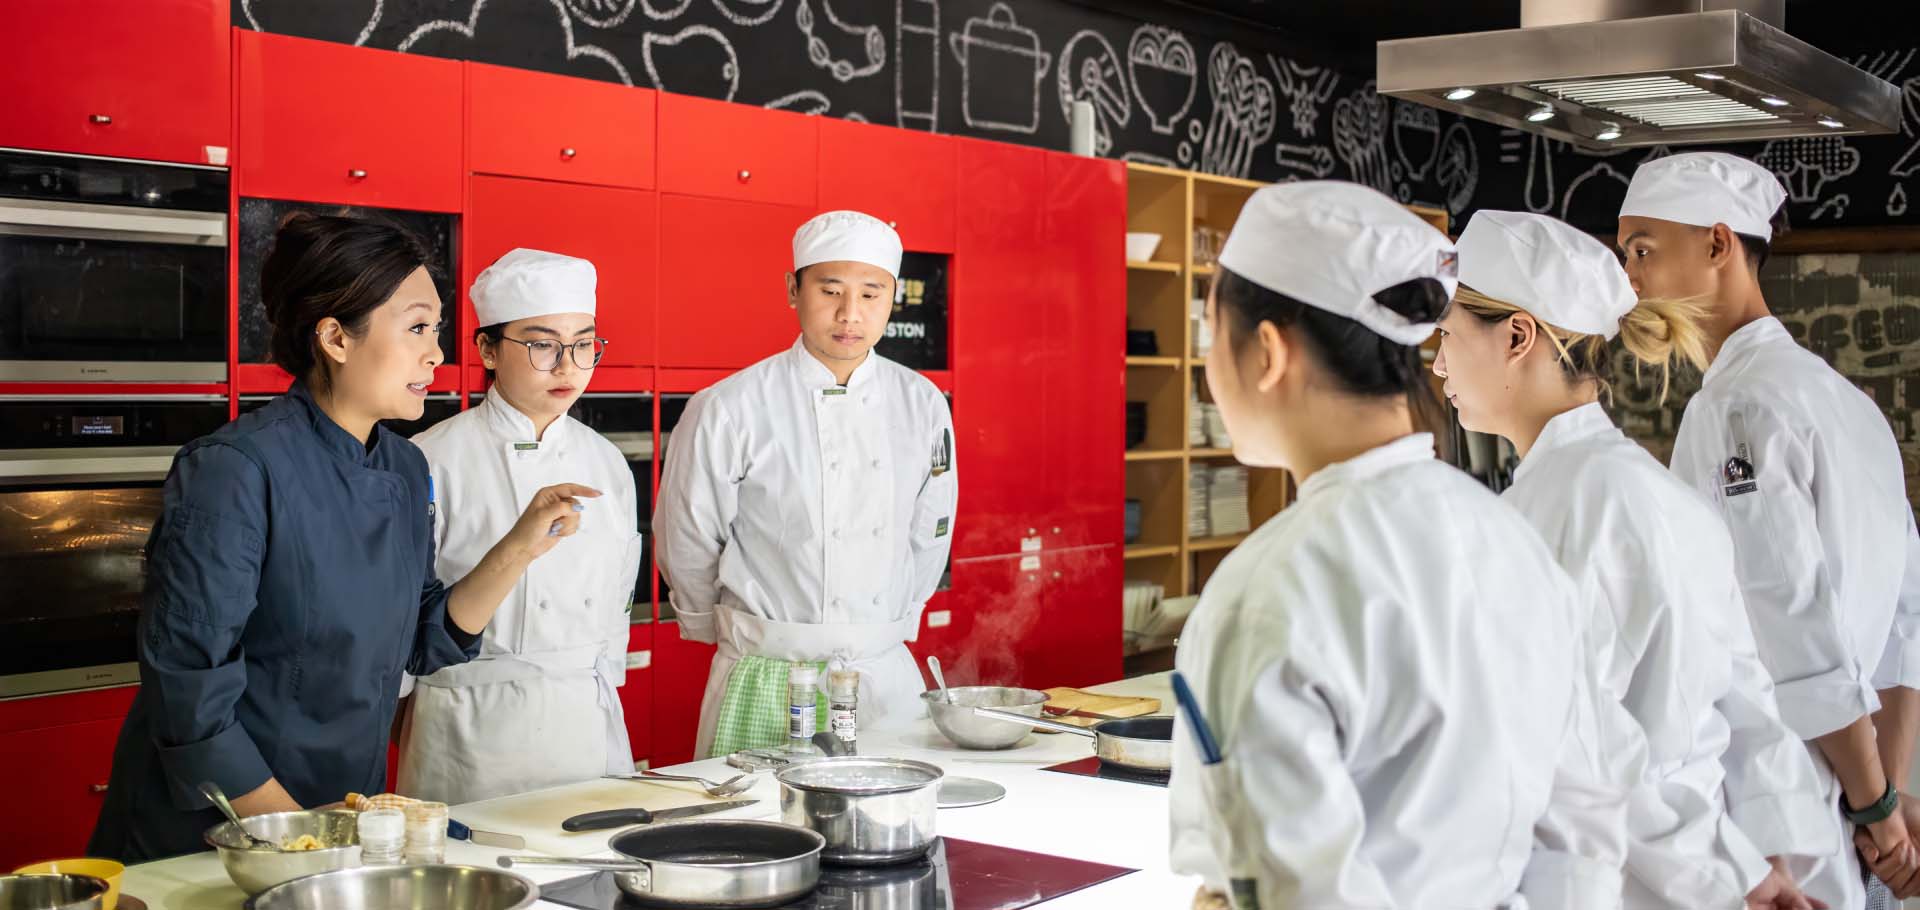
(1806,473)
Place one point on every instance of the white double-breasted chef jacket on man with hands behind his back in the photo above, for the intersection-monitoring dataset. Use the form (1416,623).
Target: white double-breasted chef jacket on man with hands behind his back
(809,521)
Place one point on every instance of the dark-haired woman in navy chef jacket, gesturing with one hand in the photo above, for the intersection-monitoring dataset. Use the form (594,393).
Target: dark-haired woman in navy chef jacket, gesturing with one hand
(291,579)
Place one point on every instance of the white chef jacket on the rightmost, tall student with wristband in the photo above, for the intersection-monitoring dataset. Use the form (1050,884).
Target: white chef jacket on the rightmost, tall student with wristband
(1821,539)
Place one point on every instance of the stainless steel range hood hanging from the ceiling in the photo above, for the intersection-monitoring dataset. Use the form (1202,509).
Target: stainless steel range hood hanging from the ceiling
(1606,74)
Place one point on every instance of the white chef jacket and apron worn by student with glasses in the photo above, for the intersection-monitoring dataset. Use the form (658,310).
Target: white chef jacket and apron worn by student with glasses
(539,707)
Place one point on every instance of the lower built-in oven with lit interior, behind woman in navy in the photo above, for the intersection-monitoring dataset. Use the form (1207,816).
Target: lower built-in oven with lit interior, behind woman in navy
(80,494)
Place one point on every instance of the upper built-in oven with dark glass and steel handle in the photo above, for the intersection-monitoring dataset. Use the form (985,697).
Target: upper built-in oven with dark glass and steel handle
(112,270)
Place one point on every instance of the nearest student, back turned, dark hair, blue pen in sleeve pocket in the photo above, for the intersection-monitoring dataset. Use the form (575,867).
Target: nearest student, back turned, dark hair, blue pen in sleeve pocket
(1393,667)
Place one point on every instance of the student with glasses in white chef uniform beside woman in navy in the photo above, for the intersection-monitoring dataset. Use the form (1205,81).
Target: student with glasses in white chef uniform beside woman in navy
(539,707)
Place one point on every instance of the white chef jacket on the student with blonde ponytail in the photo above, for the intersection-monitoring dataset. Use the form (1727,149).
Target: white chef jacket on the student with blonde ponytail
(1727,784)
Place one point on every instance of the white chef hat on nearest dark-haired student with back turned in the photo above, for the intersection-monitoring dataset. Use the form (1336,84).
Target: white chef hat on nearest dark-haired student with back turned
(1335,245)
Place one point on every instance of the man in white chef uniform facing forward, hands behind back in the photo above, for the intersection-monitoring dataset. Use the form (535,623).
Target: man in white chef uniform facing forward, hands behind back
(807,502)
